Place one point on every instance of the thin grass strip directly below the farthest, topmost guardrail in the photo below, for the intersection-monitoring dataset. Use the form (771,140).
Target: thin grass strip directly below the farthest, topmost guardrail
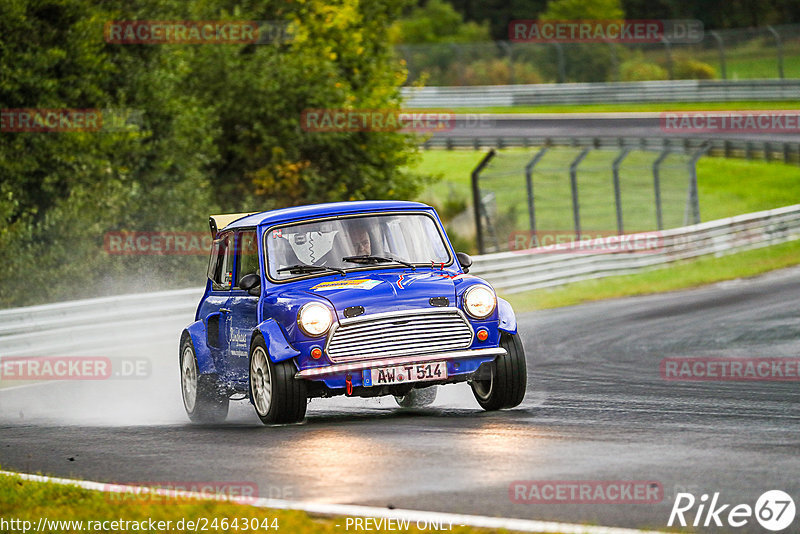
(641,107)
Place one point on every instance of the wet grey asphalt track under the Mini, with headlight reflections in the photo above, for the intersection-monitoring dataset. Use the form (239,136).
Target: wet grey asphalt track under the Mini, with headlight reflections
(596,409)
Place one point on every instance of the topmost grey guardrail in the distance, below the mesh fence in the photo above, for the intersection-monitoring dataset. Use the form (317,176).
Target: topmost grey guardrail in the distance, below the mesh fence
(601,92)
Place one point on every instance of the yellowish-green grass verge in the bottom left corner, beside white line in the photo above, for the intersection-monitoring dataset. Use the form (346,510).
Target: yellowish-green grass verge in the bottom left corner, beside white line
(30,501)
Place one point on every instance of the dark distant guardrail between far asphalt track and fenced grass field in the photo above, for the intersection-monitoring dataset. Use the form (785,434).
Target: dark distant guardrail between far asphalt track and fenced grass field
(788,152)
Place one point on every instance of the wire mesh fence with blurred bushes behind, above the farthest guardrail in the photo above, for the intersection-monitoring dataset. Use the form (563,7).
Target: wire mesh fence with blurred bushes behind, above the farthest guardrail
(730,54)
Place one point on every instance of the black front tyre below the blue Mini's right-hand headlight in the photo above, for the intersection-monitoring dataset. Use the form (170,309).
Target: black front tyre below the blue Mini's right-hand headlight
(505,388)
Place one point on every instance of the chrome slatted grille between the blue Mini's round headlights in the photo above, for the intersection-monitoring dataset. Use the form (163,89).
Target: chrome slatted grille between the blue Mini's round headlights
(403,333)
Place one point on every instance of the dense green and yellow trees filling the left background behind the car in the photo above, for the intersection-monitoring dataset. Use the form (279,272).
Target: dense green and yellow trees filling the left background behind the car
(213,127)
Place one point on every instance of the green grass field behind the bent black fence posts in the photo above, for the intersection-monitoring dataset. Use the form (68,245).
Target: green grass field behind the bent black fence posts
(727,187)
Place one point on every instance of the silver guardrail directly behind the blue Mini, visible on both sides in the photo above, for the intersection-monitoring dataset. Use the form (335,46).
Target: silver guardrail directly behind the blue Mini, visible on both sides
(105,322)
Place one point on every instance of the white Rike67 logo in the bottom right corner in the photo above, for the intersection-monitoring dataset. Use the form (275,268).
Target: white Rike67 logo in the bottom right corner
(774,510)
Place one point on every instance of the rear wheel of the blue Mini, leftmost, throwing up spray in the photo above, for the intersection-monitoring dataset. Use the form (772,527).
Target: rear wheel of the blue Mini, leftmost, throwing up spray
(202,399)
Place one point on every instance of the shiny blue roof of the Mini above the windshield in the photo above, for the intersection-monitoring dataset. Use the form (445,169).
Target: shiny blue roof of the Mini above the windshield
(320,210)
